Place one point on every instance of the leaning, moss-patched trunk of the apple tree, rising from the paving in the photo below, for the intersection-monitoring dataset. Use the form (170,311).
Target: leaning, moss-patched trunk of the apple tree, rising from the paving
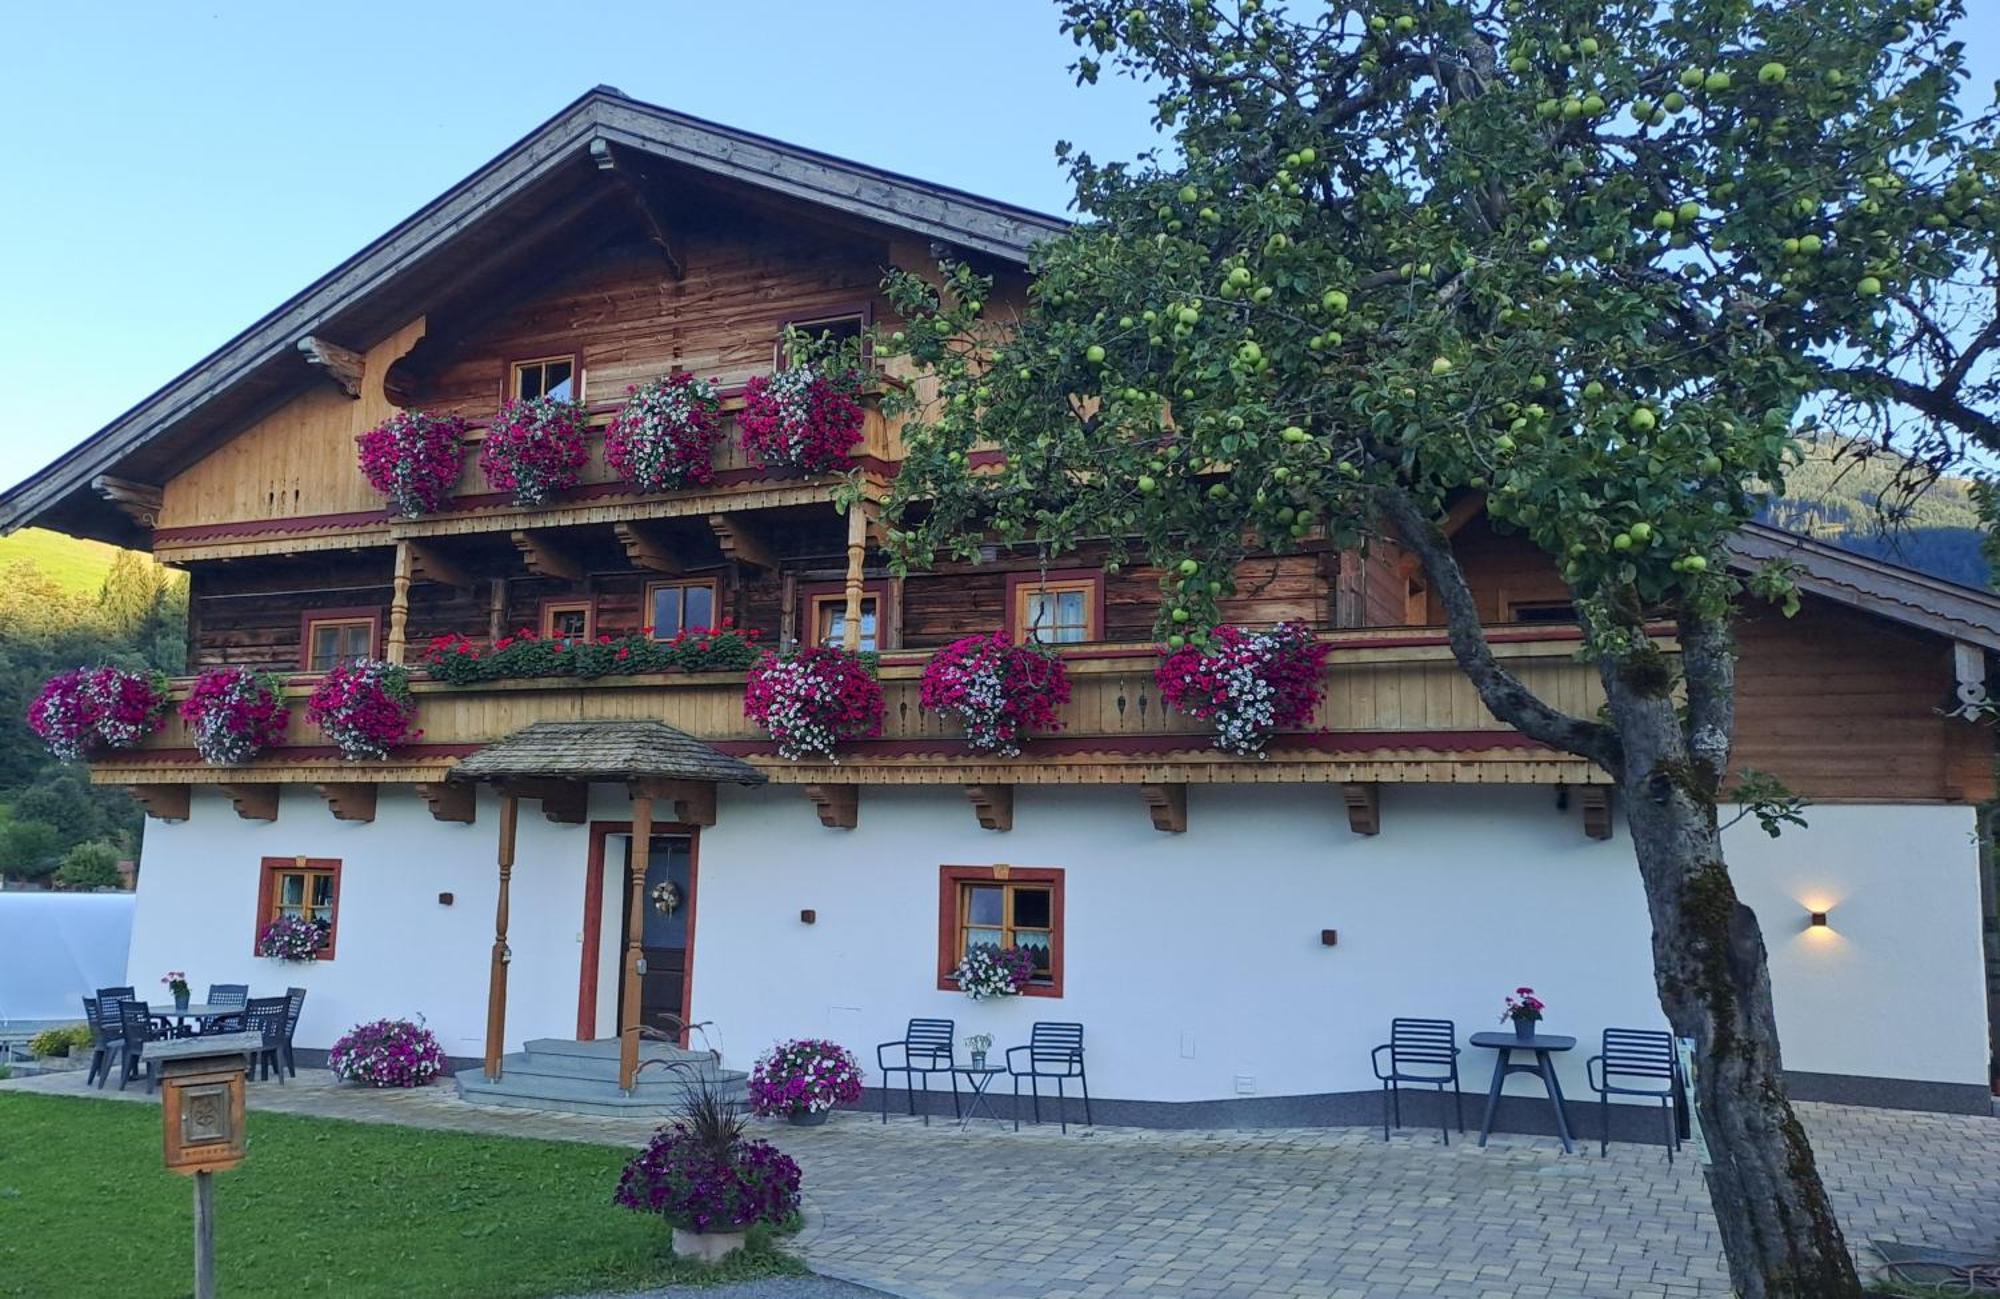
(1777,1224)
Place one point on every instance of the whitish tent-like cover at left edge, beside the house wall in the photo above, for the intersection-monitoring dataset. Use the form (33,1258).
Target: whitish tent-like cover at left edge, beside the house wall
(57,950)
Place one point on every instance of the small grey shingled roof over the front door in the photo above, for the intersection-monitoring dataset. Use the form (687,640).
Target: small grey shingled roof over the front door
(605,750)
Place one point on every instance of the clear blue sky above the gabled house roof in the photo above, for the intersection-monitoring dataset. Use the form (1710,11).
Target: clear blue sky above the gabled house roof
(177,171)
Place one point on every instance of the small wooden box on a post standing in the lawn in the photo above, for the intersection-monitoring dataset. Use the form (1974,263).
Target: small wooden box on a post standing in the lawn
(203,1120)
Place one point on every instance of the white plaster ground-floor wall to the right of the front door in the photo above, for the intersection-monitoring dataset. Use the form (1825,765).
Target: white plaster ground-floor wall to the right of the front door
(1197,964)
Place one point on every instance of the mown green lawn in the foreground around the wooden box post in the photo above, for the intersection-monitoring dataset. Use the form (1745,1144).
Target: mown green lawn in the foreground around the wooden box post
(323,1208)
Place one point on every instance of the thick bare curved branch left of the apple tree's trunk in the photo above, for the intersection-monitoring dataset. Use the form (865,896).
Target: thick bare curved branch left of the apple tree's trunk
(1495,684)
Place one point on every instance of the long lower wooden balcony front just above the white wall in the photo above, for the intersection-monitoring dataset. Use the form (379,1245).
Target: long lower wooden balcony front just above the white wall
(1397,710)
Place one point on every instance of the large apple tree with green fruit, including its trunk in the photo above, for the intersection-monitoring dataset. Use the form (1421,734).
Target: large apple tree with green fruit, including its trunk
(1599,261)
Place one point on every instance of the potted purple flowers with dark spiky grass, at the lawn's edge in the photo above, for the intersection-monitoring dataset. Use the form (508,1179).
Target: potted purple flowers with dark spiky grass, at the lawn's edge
(711,1182)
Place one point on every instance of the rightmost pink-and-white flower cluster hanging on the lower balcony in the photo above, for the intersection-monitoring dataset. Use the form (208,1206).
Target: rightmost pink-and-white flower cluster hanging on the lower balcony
(1251,684)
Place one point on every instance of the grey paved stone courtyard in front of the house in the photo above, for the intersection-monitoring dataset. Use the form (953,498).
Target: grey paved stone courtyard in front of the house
(987,1214)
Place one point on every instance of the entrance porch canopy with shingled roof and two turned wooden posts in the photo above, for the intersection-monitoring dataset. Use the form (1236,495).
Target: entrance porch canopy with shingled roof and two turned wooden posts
(557,764)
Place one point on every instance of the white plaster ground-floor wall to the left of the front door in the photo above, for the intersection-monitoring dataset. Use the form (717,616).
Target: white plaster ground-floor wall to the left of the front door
(399,950)
